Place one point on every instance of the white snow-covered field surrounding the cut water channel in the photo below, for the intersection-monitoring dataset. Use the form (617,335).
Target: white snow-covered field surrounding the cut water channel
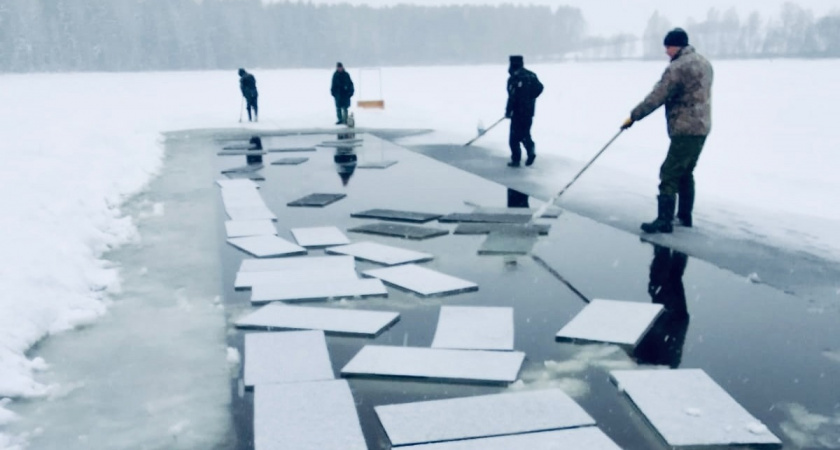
(76,146)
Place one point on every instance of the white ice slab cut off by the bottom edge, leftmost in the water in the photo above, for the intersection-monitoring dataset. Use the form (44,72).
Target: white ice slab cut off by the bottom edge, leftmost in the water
(318,415)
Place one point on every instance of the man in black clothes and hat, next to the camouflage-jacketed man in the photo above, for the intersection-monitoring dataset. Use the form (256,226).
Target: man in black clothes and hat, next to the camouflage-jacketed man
(523,89)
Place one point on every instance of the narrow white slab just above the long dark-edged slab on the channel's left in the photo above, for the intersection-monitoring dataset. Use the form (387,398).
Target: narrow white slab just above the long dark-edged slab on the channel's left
(317,290)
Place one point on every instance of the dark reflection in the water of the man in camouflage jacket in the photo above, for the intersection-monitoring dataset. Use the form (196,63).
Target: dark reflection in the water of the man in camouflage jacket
(663,344)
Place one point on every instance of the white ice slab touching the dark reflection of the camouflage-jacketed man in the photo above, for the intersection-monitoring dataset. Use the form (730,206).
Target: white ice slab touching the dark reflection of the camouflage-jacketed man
(612,321)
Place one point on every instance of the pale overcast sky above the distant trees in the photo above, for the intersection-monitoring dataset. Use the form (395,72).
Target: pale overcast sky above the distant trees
(606,17)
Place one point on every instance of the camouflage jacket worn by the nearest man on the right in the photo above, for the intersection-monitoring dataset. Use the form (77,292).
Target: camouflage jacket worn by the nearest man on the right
(686,91)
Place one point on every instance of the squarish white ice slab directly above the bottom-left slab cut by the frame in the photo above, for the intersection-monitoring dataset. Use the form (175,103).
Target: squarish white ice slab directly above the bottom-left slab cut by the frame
(286,357)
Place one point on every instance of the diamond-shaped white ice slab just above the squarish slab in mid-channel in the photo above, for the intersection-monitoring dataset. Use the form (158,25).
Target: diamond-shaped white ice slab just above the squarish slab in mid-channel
(422,280)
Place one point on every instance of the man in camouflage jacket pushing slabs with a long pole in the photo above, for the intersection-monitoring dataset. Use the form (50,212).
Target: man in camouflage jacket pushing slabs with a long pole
(686,91)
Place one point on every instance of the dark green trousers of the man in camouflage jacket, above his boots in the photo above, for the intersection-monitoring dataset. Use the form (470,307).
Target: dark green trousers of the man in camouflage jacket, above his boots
(676,176)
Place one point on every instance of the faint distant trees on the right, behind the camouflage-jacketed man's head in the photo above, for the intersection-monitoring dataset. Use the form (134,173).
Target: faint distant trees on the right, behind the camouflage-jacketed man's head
(795,33)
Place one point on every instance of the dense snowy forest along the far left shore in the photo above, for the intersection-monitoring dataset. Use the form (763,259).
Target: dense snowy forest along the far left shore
(130,35)
